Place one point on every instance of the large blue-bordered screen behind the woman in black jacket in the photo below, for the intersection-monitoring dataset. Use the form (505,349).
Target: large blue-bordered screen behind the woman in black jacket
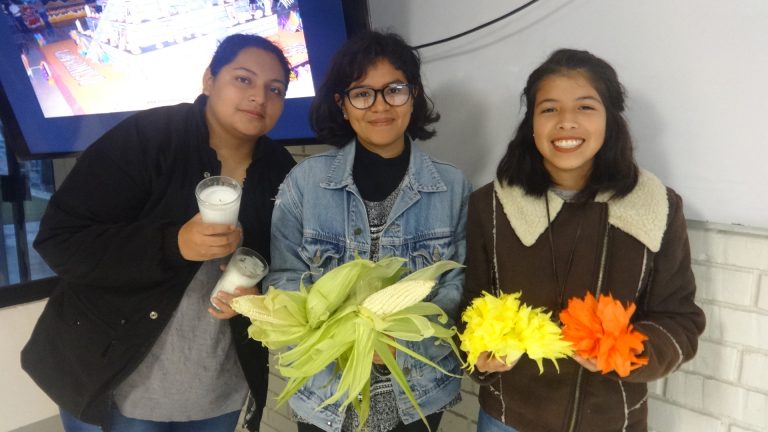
(72,69)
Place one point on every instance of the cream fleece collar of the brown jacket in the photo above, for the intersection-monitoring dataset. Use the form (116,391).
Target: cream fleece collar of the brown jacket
(641,214)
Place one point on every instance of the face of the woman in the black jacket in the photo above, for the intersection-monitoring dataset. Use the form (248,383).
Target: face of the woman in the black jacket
(245,98)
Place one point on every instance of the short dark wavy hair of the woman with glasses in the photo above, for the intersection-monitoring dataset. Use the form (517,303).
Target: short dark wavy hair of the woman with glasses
(350,64)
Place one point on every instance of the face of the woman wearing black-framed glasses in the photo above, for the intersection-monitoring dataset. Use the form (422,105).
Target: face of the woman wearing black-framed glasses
(381,127)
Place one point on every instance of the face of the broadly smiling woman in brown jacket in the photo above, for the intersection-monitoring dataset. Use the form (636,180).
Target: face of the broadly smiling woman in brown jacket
(569,127)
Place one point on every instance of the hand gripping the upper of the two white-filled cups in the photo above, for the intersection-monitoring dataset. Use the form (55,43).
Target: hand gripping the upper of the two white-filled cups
(199,241)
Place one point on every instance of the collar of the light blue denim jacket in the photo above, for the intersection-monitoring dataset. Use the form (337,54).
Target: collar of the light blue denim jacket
(421,174)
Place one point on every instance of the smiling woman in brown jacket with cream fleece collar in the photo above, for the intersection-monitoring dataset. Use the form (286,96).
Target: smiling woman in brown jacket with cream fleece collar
(570,212)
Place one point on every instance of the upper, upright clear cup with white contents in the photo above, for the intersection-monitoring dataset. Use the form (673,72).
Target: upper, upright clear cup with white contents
(218,198)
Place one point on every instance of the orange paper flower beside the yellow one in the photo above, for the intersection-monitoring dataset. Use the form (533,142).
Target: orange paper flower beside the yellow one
(600,329)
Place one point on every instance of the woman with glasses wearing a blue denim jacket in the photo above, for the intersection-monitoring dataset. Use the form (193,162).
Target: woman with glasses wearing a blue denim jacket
(377,195)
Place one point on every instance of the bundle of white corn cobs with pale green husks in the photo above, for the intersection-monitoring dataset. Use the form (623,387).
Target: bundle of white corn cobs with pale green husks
(350,313)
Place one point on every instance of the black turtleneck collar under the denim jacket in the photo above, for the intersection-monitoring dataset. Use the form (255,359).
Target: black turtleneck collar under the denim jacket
(377,177)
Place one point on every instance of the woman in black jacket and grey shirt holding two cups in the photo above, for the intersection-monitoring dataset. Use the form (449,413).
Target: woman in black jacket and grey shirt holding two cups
(128,339)
